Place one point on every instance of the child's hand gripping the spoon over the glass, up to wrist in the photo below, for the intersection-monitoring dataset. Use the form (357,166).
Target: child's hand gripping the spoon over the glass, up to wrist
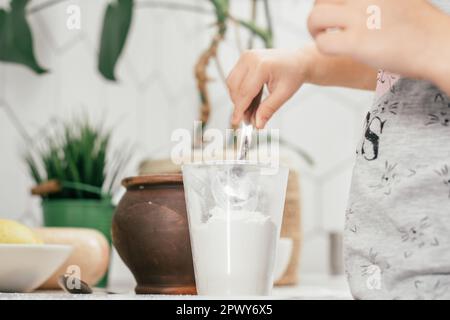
(283,71)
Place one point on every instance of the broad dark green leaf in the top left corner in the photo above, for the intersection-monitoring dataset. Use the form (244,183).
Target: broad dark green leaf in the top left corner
(16,41)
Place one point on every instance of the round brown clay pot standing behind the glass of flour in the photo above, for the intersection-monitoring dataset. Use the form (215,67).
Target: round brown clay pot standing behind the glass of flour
(150,232)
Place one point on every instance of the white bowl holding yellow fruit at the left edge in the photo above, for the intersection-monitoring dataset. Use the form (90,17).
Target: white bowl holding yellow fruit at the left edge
(24,267)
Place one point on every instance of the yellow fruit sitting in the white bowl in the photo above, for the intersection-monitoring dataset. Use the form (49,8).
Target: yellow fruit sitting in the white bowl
(12,232)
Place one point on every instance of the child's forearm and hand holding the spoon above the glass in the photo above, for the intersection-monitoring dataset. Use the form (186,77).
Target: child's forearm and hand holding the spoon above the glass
(285,72)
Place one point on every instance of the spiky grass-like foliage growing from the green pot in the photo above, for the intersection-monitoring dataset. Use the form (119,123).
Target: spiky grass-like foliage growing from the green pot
(75,158)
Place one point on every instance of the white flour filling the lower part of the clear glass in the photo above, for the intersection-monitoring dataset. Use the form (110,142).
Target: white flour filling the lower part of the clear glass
(234,253)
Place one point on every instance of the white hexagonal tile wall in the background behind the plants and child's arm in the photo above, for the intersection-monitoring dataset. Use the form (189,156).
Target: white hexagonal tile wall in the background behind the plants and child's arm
(157,93)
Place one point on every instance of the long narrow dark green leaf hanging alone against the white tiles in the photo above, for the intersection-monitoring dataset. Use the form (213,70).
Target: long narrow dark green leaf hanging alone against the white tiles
(116,25)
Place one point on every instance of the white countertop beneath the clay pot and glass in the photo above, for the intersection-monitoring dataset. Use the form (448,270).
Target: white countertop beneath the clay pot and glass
(311,288)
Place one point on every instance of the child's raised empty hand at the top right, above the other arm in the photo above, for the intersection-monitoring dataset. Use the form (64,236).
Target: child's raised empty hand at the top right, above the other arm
(408,42)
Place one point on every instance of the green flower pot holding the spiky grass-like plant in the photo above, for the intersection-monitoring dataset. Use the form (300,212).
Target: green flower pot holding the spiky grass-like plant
(93,214)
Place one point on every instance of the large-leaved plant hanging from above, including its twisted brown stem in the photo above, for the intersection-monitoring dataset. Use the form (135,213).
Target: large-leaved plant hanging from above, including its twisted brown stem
(16,36)
